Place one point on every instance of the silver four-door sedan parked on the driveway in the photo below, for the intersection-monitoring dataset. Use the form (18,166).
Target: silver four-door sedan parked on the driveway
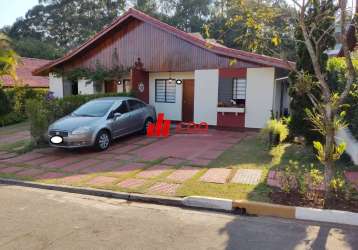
(99,121)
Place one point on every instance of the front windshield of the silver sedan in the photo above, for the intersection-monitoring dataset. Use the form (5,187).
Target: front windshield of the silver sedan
(94,109)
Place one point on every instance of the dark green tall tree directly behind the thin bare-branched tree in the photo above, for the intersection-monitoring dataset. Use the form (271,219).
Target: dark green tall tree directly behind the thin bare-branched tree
(299,125)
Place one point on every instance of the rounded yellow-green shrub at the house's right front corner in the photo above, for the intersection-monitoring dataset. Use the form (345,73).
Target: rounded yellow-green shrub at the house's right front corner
(277,131)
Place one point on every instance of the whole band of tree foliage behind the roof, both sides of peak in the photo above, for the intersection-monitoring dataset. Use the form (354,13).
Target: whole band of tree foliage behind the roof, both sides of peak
(53,27)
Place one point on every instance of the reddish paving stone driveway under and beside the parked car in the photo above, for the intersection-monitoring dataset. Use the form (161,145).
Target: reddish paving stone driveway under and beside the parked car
(159,165)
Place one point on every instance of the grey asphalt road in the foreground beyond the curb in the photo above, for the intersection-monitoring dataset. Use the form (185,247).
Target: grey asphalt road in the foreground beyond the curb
(40,219)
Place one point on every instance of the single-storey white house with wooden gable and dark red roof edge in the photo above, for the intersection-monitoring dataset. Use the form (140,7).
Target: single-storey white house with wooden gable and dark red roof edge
(183,75)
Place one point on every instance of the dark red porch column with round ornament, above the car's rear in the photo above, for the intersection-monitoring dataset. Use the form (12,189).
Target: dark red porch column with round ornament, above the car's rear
(140,82)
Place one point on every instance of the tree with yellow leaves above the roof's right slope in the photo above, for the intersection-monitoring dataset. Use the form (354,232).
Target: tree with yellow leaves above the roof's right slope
(254,26)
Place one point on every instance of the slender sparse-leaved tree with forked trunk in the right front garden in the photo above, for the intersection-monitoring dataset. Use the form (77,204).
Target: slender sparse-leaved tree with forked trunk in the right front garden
(324,115)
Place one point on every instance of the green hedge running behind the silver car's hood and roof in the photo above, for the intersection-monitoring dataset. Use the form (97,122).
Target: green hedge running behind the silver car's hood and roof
(42,112)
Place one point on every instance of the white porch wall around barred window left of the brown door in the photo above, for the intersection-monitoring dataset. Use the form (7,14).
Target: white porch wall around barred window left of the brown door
(172,111)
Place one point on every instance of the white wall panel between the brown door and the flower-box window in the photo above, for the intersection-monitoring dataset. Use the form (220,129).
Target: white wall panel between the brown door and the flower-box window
(206,96)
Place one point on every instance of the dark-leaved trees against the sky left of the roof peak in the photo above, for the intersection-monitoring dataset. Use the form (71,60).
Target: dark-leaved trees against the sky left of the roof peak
(66,23)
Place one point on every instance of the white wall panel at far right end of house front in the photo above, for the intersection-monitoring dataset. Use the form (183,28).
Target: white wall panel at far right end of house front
(259,96)
